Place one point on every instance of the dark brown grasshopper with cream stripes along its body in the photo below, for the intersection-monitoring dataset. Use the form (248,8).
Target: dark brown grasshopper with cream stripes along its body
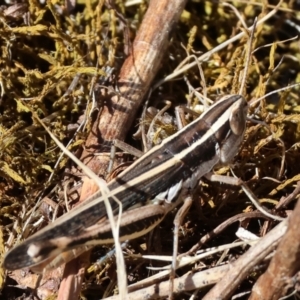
(162,174)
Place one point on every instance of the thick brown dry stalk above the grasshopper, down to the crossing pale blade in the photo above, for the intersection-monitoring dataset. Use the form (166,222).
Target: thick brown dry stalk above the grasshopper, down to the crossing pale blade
(136,75)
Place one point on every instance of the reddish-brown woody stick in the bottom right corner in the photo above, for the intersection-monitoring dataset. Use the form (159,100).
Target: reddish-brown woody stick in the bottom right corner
(285,264)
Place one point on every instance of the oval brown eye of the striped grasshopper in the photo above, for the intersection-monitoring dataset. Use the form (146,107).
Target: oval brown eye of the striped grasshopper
(237,120)
